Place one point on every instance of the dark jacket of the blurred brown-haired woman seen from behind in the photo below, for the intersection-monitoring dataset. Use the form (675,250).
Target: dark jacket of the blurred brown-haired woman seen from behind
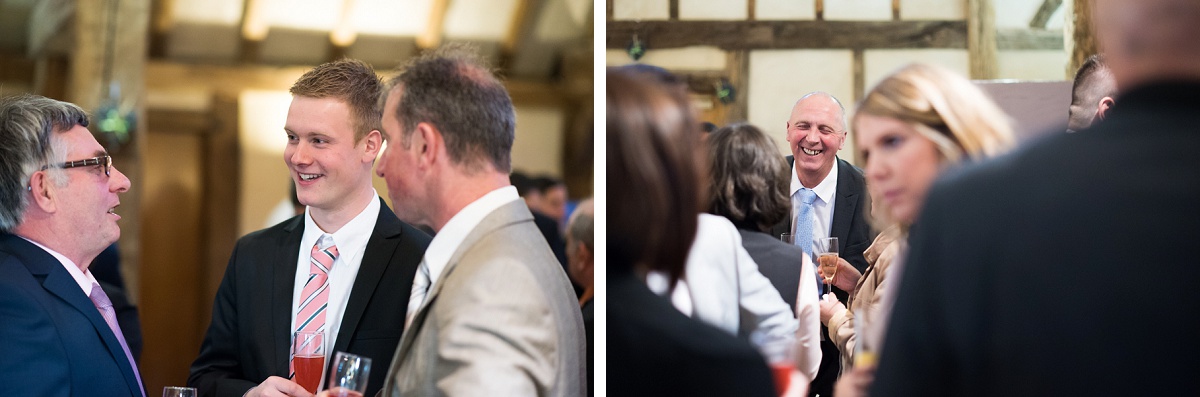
(656,351)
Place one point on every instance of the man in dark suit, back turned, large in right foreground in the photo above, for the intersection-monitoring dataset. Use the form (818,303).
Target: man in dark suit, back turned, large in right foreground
(1048,273)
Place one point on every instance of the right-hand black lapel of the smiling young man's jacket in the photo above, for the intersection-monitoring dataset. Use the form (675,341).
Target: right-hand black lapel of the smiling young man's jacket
(380,251)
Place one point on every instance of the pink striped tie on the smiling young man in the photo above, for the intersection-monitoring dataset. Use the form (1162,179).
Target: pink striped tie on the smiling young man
(315,297)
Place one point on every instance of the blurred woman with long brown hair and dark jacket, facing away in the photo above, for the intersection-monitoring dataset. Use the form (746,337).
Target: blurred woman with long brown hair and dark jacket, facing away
(656,170)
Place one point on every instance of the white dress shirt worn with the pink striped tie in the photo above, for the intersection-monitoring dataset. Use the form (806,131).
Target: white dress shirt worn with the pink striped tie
(351,242)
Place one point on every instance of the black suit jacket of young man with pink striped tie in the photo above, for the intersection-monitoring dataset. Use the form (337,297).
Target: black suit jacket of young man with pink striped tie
(250,336)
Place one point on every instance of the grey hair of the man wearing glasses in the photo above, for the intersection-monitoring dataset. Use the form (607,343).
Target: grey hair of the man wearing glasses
(27,128)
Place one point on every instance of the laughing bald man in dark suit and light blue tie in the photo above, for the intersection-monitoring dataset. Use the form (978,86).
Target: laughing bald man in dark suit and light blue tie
(817,130)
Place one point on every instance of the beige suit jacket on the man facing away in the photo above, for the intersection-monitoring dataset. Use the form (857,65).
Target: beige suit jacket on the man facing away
(501,321)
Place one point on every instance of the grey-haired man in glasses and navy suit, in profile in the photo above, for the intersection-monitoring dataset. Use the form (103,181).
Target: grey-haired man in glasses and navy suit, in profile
(58,198)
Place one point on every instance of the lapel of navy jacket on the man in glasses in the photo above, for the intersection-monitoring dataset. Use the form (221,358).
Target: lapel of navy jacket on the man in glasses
(58,282)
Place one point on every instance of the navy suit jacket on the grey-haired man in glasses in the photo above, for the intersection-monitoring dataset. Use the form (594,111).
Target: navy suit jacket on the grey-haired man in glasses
(52,338)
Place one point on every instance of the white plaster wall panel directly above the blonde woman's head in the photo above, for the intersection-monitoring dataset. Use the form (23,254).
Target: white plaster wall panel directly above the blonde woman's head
(879,64)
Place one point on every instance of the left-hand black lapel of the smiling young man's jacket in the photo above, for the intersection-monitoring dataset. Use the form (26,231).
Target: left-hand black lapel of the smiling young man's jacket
(283,275)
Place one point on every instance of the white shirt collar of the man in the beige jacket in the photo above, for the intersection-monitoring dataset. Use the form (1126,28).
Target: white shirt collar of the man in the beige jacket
(447,240)
